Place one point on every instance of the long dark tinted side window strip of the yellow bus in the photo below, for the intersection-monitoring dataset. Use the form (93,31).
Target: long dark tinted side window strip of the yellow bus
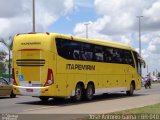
(75,50)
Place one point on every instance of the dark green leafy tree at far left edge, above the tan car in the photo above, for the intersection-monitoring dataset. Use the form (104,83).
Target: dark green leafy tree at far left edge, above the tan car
(2,57)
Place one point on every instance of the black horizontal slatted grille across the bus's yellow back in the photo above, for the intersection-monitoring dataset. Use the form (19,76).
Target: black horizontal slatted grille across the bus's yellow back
(30,62)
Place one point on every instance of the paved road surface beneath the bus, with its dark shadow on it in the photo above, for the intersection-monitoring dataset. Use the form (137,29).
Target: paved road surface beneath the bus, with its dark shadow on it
(100,104)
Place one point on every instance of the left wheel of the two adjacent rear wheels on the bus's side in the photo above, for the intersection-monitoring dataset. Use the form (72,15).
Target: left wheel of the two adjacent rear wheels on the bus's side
(78,93)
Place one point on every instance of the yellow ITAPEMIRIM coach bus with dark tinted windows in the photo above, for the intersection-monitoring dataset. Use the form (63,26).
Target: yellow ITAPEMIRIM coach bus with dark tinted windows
(52,65)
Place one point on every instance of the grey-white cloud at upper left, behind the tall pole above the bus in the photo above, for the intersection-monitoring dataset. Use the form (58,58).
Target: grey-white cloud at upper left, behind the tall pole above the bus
(16,16)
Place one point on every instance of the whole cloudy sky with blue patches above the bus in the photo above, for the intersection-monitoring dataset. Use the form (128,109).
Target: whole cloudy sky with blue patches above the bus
(113,20)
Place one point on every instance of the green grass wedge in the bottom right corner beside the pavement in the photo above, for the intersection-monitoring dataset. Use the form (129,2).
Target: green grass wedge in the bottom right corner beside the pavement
(140,113)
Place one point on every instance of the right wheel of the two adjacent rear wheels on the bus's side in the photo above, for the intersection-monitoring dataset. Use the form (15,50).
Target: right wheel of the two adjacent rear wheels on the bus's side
(89,92)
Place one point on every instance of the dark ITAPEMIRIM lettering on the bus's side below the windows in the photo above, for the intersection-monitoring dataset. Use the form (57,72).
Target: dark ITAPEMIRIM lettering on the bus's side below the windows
(80,67)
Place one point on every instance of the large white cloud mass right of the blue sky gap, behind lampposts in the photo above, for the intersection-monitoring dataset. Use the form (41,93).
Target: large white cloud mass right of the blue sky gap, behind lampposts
(117,20)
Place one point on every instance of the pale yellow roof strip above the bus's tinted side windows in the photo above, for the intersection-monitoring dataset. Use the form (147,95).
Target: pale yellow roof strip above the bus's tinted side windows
(96,41)
